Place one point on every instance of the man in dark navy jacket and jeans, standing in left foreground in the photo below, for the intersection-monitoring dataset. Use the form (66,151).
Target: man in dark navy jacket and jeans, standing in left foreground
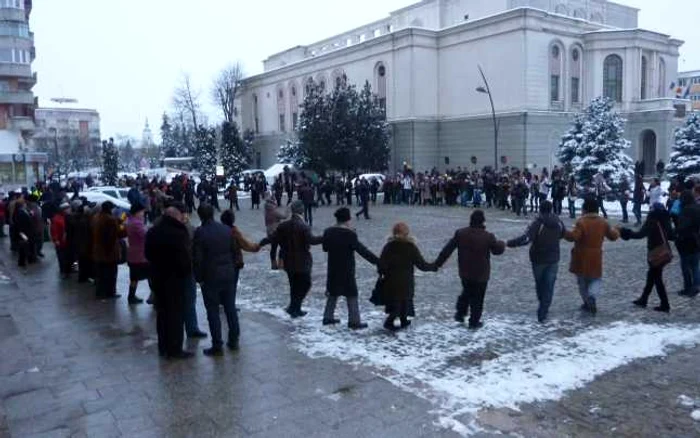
(215,270)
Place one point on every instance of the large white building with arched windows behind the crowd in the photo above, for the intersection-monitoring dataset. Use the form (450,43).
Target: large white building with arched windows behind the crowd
(544,59)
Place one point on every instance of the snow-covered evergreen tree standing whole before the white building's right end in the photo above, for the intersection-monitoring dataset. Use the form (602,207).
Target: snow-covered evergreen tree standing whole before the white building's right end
(595,144)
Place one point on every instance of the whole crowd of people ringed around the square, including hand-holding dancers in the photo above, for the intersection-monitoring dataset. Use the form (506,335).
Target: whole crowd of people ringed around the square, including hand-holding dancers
(173,256)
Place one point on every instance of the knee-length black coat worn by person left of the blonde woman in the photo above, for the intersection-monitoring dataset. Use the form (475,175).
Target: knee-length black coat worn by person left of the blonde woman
(341,243)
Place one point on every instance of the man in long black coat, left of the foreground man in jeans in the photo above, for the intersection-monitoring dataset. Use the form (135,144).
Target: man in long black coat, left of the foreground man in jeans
(168,252)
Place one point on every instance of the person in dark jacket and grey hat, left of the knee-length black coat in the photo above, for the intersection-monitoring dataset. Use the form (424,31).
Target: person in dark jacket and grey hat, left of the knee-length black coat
(295,239)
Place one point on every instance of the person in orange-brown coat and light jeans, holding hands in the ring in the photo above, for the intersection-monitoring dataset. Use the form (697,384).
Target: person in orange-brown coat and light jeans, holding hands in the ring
(587,255)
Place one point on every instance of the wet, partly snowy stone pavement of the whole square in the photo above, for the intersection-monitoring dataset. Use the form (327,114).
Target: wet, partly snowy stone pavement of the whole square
(75,366)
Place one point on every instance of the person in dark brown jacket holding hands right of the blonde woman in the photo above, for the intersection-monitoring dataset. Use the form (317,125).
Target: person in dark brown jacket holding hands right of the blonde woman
(474,248)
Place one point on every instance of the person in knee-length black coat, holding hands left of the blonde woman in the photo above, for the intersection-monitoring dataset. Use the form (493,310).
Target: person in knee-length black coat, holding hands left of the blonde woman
(341,243)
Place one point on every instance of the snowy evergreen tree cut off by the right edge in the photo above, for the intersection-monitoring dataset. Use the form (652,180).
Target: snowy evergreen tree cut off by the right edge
(685,155)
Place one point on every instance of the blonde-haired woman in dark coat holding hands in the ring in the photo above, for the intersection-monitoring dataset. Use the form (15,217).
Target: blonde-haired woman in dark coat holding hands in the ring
(396,265)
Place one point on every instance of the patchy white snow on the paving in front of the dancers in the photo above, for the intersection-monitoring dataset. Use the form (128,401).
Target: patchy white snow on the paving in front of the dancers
(507,363)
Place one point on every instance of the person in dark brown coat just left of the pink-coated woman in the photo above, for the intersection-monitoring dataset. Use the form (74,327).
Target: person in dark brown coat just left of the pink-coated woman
(107,250)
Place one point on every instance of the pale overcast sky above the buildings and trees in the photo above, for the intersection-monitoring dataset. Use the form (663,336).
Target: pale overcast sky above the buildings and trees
(125,57)
